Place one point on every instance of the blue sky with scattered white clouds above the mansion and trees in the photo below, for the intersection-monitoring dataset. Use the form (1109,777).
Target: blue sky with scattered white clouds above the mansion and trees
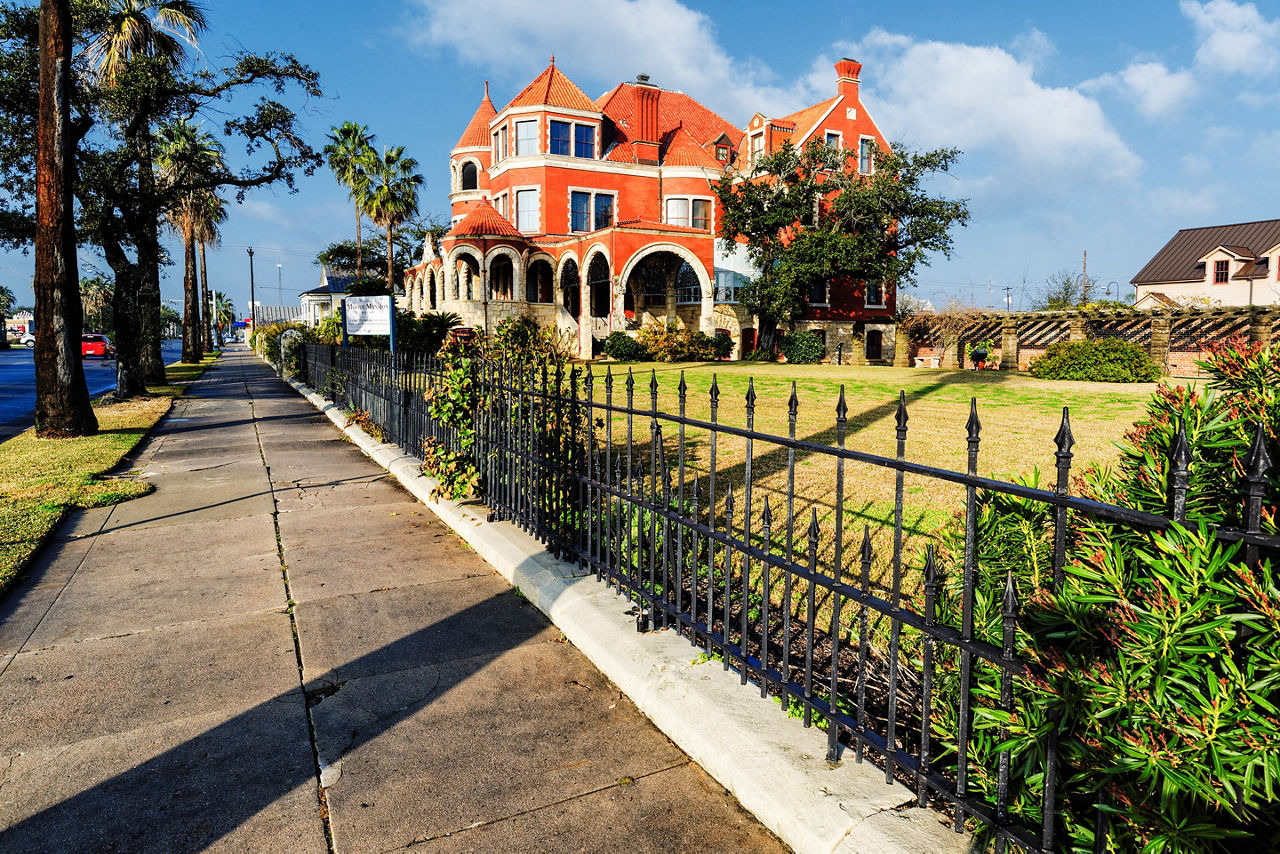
(1099,127)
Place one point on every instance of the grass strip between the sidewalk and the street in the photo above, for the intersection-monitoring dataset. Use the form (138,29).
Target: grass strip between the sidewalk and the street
(43,479)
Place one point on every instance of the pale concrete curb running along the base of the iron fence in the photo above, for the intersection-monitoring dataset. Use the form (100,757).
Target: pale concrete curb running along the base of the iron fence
(772,764)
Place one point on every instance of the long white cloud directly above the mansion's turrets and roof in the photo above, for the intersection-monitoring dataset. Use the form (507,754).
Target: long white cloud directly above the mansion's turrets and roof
(673,43)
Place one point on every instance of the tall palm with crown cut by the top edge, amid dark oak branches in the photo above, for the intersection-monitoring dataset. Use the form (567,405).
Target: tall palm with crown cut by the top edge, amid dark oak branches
(159,31)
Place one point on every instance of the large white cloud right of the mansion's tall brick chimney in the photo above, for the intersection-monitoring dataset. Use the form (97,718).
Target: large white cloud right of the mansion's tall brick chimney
(985,101)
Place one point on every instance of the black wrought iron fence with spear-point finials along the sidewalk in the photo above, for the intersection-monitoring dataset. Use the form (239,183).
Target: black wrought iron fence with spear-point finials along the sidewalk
(785,599)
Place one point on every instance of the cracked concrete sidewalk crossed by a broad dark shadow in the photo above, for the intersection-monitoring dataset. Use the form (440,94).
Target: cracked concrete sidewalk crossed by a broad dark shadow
(282,650)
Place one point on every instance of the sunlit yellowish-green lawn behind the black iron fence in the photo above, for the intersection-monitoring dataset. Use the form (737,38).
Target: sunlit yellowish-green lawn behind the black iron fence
(1020,417)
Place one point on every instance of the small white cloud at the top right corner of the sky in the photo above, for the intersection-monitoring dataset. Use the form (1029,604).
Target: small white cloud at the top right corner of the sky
(1235,38)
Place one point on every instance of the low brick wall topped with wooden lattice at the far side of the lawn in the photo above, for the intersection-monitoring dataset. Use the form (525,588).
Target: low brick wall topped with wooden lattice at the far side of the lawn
(1176,340)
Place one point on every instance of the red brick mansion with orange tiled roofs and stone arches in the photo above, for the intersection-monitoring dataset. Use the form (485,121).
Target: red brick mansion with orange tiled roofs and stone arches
(598,216)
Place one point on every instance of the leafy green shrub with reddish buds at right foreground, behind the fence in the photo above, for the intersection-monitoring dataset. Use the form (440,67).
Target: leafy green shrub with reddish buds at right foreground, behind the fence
(1160,657)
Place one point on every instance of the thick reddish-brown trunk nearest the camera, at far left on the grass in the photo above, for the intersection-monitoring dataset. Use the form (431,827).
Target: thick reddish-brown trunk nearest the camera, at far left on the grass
(62,398)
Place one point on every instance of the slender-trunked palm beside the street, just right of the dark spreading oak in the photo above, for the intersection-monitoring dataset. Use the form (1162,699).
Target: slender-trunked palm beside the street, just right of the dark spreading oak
(188,157)
